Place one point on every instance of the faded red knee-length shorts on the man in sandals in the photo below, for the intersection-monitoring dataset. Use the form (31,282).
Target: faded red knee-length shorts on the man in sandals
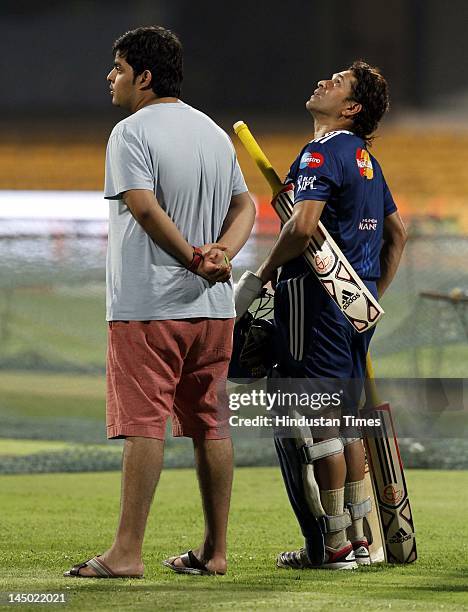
(172,368)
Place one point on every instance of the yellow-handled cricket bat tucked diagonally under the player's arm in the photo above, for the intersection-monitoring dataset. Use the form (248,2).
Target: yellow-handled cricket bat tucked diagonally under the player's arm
(325,258)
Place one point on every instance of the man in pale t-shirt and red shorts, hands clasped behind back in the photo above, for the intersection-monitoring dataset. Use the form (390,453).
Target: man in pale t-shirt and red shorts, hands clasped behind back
(179,211)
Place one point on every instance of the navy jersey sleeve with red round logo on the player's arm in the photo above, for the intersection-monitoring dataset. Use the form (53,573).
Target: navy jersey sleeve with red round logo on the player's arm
(318,173)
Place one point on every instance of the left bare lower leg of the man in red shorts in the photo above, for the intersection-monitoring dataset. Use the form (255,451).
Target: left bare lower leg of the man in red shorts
(142,463)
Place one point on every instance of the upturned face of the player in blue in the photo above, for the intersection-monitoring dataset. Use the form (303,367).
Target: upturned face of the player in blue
(332,95)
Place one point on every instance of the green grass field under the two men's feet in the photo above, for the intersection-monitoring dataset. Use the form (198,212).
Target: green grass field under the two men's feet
(50,522)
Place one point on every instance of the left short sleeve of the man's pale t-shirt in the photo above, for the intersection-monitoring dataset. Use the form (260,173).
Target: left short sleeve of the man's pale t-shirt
(127,165)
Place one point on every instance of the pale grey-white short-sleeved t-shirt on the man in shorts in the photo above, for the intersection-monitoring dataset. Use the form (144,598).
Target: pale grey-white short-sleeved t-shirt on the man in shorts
(190,165)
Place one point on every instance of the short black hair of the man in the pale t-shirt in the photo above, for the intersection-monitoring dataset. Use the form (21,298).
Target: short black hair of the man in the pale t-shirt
(155,49)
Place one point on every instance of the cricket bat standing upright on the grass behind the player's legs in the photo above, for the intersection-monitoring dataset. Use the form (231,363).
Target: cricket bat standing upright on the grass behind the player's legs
(388,478)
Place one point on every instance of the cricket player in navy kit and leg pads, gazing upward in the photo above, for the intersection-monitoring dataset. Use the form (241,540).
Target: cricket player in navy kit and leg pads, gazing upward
(338,182)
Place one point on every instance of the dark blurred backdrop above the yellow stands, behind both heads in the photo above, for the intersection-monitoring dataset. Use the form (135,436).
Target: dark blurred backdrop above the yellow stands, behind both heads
(247,58)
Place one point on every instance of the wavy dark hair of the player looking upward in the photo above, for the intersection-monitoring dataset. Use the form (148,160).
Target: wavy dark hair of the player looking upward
(370,89)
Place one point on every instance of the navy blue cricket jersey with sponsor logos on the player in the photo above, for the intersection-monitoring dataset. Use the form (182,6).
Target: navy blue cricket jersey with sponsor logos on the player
(338,169)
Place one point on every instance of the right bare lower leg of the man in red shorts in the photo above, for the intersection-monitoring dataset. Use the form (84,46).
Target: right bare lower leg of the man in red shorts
(214,463)
